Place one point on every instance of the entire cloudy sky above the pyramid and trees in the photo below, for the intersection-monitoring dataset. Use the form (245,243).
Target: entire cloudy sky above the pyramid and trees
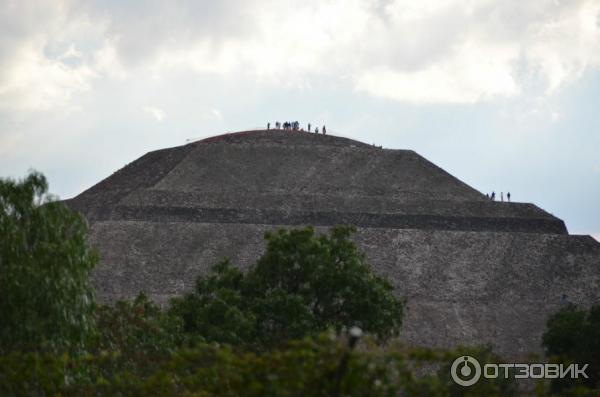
(504,94)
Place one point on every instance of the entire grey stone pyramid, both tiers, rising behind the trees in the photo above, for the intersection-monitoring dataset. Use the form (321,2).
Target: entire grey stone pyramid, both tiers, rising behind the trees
(472,270)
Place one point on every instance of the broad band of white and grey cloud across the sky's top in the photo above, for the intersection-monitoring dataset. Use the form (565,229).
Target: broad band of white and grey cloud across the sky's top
(450,51)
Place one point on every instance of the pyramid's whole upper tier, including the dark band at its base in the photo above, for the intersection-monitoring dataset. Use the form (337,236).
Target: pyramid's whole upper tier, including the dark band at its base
(279,177)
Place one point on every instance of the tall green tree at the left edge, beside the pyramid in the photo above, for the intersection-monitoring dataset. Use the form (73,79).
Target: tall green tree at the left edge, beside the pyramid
(46,299)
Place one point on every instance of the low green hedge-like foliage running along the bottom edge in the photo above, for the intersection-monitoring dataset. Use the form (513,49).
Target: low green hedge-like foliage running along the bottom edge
(308,367)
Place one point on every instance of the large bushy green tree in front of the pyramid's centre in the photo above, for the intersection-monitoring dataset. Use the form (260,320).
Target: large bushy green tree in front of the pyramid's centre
(303,284)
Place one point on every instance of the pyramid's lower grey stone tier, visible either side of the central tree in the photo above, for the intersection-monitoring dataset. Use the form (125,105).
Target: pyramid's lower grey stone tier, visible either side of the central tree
(461,287)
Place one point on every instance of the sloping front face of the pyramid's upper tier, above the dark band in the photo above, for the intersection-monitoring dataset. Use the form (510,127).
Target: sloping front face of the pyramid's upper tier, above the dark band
(258,166)
